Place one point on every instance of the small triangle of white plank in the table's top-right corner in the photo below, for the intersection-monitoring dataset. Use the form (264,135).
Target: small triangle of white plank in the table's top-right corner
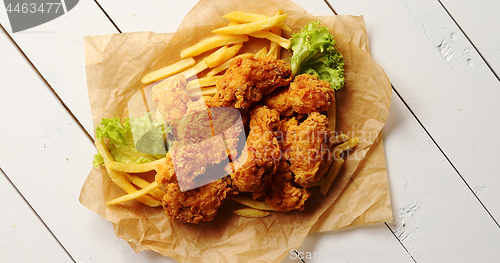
(480,22)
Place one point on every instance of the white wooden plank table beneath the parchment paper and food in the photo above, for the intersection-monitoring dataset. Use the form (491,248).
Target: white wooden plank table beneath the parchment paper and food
(441,139)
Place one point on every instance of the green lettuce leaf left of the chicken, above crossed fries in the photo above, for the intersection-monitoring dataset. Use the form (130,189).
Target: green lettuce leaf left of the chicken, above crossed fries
(135,140)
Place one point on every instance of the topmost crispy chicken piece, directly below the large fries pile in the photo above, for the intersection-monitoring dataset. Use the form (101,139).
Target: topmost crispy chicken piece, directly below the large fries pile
(247,79)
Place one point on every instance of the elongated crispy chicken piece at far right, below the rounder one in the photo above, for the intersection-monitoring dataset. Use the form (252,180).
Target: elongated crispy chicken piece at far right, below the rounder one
(305,147)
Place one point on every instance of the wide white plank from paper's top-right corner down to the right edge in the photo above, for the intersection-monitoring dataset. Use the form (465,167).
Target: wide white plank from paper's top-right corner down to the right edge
(455,97)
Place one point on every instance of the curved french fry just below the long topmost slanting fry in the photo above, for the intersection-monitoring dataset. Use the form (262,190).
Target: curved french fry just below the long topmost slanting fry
(211,43)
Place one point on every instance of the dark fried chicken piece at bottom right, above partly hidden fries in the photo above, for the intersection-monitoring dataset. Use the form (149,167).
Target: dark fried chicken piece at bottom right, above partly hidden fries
(281,194)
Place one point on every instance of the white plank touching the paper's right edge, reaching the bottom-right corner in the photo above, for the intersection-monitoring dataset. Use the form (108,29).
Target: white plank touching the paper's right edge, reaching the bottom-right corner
(436,217)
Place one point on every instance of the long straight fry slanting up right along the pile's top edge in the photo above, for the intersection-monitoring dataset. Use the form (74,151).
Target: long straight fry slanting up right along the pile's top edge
(245,29)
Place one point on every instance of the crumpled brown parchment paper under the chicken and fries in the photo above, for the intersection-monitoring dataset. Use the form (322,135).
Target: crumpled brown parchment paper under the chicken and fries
(360,194)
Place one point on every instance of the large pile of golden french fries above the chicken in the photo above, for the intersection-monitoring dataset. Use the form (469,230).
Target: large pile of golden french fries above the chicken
(224,45)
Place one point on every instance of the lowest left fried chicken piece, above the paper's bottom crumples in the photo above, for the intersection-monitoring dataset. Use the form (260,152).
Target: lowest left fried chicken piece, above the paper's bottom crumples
(199,204)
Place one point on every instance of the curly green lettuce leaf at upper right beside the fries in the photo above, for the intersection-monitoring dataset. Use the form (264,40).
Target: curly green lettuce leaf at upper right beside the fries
(314,53)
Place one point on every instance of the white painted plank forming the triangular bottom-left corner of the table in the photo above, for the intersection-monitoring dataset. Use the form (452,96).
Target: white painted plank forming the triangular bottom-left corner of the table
(23,237)
